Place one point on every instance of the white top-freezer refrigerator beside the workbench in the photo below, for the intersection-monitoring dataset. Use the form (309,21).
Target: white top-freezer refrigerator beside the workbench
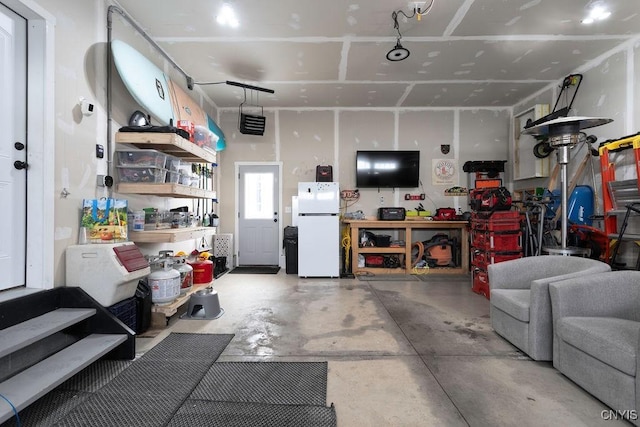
(318,229)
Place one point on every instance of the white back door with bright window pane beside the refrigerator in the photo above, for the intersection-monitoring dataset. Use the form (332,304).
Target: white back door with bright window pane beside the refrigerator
(258,216)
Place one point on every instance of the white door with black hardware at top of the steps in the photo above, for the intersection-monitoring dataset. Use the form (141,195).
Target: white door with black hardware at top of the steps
(13,174)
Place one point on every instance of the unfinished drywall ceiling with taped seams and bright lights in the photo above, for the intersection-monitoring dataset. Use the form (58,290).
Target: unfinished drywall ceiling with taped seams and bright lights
(332,53)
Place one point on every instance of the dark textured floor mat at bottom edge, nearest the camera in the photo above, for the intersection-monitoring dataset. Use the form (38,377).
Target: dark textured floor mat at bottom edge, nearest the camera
(232,414)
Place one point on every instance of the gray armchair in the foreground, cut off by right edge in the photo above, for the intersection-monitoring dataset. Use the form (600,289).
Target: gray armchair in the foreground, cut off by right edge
(597,336)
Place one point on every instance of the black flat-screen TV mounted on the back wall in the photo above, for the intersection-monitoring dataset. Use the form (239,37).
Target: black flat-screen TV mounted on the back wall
(387,169)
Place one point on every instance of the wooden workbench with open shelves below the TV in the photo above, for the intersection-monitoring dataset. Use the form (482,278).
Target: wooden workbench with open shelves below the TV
(407,227)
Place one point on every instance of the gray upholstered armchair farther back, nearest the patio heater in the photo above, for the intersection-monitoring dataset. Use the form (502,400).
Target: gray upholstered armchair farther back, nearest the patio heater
(519,294)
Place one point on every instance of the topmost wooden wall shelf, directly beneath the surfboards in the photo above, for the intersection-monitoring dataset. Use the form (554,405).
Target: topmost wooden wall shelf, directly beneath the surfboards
(169,143)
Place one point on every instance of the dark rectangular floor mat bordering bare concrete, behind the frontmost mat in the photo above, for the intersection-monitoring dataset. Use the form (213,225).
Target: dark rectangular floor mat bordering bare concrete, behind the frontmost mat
(287,383)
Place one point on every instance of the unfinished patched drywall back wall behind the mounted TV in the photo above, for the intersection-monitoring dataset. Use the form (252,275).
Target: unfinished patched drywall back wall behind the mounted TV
(303,139)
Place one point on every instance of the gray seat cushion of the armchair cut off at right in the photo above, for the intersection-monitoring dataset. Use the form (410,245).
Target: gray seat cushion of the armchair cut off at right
(610,340)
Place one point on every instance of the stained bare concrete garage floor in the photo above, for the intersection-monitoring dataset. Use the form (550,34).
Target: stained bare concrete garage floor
(400,353)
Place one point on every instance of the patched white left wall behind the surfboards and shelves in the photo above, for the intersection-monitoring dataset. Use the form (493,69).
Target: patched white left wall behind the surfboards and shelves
(80,71)
